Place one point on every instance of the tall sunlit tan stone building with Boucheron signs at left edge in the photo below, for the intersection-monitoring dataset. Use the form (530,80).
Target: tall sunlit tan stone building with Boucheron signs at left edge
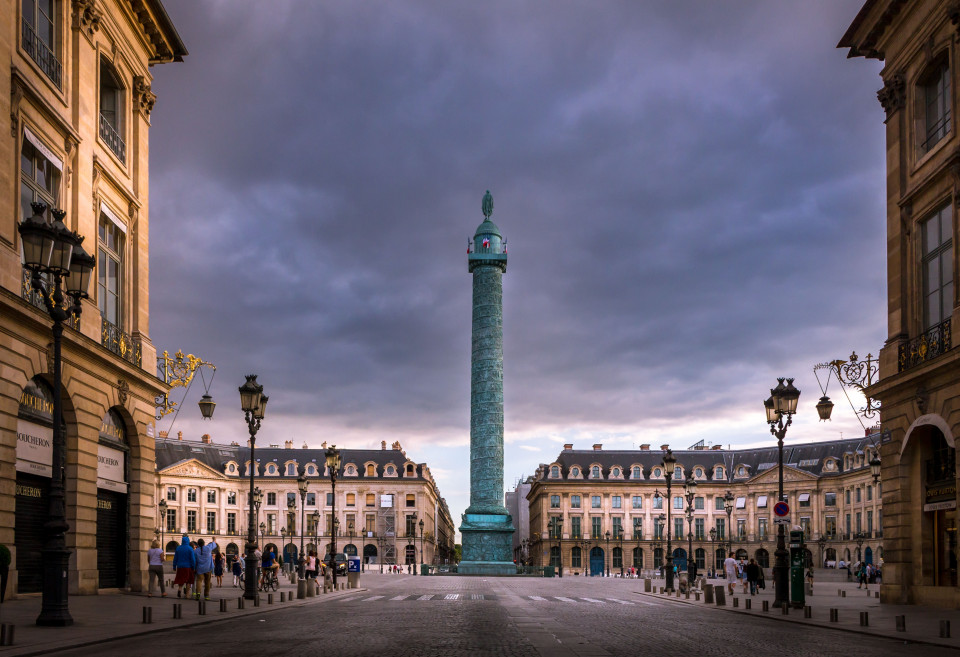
(74,134)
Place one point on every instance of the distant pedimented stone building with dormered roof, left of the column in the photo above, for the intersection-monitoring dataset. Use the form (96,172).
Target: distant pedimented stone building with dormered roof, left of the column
(381,497)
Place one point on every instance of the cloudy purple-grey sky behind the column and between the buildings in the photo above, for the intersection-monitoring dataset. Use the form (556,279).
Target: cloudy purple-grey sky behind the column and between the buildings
(692,193)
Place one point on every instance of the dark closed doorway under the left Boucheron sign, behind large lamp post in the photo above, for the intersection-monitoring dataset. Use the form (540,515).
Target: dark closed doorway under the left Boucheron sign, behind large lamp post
(31,511)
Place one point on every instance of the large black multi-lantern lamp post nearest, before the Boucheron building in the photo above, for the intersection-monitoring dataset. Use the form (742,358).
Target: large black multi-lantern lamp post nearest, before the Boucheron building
(53,249)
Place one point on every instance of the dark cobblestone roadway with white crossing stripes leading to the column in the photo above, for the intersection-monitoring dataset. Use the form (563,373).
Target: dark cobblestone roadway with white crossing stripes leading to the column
(404,616)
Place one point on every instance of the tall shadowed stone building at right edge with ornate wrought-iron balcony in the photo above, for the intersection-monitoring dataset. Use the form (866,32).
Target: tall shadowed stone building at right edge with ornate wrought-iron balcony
(919,387)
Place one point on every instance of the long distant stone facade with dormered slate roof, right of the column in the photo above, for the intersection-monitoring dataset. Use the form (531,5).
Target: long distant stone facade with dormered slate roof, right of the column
(614,508)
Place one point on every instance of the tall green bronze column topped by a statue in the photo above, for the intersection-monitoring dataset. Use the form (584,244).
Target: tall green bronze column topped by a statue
(487,528)
